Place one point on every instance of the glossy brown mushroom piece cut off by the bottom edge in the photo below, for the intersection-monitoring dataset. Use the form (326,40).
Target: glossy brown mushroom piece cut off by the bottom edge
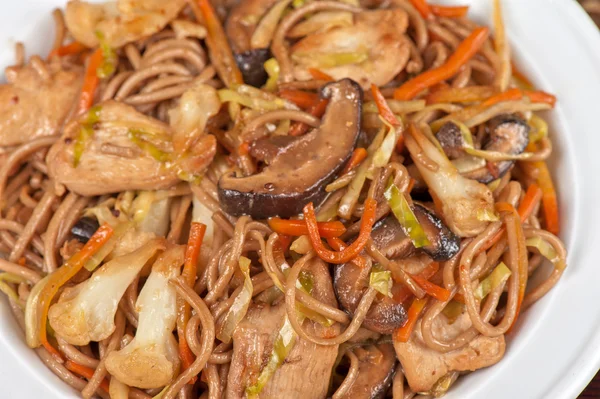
(375,371)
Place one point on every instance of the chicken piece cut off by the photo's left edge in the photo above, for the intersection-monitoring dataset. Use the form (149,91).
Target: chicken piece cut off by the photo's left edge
(34,104)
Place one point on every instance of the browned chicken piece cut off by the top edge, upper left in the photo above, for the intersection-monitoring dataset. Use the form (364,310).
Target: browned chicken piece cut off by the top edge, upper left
(120,22)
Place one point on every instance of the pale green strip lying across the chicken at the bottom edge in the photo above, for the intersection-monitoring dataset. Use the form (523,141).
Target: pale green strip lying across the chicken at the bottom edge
(286,339)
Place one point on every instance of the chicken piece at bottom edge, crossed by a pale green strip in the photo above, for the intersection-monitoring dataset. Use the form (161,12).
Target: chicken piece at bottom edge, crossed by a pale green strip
(306,371)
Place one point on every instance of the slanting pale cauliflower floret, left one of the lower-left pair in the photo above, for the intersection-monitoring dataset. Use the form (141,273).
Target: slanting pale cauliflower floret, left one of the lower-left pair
(87,311)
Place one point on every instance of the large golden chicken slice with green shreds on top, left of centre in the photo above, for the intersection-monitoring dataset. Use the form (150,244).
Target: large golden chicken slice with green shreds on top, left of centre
(111,161)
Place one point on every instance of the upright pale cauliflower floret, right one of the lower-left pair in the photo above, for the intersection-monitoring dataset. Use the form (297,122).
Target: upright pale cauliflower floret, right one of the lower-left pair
(151,359)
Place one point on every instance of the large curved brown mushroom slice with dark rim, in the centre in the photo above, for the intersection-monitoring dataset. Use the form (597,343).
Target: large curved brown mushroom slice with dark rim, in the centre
(300,174)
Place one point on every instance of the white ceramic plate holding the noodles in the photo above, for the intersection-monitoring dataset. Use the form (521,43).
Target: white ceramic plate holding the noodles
(556,349)
